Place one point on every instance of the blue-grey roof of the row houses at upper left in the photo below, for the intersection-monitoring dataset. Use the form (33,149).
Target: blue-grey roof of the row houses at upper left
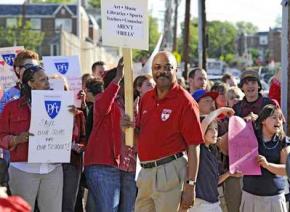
(34,9)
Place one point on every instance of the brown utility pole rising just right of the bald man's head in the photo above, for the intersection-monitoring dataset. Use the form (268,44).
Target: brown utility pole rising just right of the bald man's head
(186,37)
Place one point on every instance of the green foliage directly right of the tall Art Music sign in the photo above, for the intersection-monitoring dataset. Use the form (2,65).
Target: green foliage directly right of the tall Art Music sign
(153,39)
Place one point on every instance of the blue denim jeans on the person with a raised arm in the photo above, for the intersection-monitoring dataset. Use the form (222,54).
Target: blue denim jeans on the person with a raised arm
(113,190)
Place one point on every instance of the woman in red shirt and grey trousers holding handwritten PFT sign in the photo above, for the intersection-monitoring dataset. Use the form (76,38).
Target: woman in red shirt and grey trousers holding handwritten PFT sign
(29,180)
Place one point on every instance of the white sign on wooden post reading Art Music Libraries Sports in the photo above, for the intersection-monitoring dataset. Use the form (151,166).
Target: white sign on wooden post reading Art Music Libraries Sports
(125,23)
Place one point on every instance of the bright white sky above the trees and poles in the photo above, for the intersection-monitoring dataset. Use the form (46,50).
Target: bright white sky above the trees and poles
(262,13)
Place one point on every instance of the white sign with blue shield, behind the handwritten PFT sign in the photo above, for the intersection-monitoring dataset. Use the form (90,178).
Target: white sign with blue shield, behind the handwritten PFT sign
(68,67)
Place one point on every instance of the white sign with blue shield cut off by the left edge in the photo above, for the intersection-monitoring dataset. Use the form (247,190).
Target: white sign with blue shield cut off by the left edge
(7,56)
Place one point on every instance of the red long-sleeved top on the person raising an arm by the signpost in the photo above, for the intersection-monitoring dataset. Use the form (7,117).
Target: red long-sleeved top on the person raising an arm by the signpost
(104,146)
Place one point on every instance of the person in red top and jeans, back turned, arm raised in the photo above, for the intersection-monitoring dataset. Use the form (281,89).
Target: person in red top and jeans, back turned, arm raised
(109,163)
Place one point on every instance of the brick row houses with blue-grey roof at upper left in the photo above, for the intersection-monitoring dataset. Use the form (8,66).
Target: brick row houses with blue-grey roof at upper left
(51,19)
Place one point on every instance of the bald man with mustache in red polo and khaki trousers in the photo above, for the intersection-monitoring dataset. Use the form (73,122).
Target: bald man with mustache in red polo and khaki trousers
(167,125)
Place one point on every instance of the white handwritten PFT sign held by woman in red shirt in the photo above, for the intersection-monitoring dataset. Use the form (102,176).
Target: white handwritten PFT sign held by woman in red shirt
(52,126)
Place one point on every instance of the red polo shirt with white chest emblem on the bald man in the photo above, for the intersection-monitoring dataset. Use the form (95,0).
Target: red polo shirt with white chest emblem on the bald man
(167,126)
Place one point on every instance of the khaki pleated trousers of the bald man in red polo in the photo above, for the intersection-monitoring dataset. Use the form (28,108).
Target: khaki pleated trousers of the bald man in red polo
(159,188)
